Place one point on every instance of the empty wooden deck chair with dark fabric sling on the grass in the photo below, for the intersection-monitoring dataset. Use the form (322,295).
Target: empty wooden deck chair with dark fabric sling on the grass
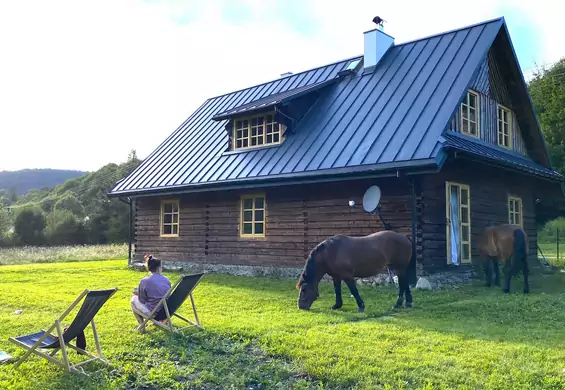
(45,340)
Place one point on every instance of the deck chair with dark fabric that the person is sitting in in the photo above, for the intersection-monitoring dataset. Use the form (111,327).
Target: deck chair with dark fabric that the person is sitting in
(170,303)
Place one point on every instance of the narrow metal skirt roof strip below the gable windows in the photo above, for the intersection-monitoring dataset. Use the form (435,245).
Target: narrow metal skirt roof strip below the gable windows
(501,156)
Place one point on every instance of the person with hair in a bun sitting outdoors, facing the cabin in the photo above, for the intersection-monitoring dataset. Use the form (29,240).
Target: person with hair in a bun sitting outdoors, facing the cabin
(151,289)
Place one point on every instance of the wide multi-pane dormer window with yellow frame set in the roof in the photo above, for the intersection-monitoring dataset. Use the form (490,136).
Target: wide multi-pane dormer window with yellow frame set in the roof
(256,131)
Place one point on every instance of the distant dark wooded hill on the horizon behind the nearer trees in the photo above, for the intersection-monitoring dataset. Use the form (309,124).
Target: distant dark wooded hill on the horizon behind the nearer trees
(24,180)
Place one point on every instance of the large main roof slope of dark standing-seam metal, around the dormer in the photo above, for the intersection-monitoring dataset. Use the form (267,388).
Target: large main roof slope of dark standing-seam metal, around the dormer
(392,116)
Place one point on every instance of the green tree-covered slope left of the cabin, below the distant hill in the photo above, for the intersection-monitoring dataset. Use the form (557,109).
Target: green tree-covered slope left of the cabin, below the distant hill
(75,212)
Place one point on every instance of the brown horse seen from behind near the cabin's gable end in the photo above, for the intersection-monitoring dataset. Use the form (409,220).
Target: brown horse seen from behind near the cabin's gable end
(509,243)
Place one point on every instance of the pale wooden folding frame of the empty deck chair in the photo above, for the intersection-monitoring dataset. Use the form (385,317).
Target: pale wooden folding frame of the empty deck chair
(64,362)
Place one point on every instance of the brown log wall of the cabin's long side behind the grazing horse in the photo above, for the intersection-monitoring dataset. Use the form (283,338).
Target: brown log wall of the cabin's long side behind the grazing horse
(297,219)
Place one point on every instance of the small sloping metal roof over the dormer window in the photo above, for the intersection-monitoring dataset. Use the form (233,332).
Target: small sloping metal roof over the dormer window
(272,100)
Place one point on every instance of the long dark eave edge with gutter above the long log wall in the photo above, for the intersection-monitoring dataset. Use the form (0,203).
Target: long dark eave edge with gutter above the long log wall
(417,167)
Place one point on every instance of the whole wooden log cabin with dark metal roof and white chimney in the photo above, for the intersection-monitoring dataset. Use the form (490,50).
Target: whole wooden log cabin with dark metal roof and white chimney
(443,125)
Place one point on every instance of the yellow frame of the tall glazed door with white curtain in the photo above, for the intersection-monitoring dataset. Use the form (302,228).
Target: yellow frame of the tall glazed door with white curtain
(462,208)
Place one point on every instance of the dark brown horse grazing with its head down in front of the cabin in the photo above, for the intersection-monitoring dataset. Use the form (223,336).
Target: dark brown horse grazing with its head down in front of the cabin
(346,258)
